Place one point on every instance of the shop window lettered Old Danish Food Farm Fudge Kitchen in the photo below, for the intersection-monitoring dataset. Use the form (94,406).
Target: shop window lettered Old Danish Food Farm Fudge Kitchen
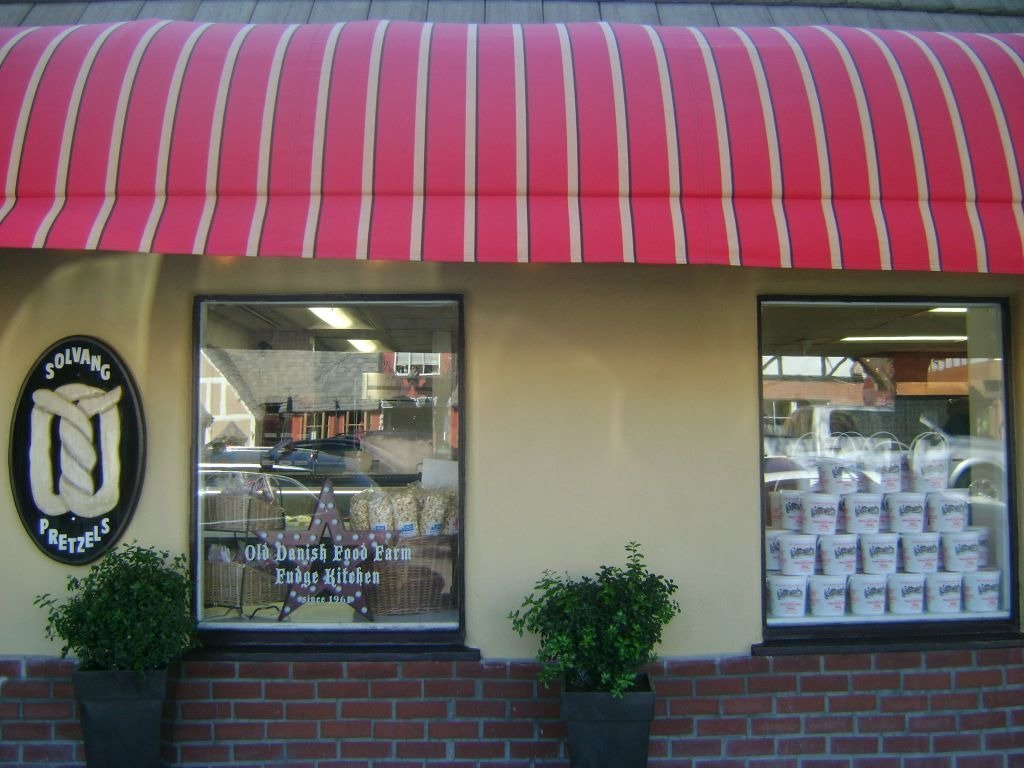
(328,474)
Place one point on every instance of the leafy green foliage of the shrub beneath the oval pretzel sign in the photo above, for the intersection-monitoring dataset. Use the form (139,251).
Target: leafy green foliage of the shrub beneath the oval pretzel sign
(131,612)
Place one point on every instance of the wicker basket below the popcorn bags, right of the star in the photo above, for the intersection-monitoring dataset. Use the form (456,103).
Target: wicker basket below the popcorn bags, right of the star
(420,585)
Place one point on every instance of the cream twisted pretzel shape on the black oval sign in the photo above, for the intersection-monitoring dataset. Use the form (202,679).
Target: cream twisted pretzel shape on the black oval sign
(75,406)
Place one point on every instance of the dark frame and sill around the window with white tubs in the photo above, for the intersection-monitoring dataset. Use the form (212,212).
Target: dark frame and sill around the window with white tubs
(897,634)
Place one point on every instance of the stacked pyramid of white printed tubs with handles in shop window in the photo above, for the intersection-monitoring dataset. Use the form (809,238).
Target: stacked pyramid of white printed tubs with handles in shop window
(874,539)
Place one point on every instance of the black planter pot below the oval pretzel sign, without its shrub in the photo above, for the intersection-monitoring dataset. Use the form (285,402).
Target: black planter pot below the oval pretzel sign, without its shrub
(121,714)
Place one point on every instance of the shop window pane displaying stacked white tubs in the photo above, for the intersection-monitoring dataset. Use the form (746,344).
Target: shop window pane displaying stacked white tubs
(885,458)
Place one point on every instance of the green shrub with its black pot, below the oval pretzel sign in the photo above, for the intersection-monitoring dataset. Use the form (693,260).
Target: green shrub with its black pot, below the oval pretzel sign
(125,621)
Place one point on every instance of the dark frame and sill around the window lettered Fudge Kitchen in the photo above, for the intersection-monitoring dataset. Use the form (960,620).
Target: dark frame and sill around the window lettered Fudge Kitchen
(441,644)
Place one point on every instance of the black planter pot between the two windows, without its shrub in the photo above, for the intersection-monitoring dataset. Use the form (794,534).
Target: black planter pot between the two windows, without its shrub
(610,733)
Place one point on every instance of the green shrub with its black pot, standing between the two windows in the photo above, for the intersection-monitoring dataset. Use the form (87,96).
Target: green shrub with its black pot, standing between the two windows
(596,634)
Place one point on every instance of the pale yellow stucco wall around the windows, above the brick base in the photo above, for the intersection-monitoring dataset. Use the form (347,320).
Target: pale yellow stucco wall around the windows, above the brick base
(603,404)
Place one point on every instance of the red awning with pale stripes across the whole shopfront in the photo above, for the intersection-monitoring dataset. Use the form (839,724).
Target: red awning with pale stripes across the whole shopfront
(595,143)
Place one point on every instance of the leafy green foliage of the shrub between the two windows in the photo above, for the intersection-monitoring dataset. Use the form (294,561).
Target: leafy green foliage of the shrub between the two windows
(598,632)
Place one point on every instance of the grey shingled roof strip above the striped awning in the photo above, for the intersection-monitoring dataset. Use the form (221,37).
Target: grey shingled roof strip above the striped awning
(949,16)
